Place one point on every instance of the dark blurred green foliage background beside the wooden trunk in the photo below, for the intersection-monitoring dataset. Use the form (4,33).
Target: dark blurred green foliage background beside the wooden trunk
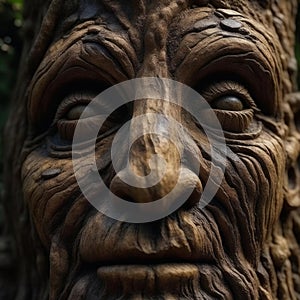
(10,52)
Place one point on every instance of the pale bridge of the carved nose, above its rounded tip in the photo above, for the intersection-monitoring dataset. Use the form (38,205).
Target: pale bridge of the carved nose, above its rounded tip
(158,147)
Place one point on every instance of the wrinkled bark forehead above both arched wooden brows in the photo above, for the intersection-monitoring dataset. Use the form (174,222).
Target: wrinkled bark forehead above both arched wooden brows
(56,18)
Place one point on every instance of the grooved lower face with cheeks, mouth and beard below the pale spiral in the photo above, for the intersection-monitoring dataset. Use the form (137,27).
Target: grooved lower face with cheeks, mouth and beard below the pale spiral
(192,254)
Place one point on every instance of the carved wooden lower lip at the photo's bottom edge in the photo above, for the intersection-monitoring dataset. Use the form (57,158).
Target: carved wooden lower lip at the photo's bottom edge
(163,281)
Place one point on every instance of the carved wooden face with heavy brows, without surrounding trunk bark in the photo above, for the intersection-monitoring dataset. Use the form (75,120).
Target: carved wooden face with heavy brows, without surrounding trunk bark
(236,63)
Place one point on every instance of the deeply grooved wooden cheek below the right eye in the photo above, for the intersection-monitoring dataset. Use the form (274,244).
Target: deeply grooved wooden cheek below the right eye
(264,164)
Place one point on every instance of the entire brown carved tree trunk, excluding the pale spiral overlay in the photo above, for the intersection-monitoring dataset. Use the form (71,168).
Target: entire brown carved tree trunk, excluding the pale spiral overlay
(246,243)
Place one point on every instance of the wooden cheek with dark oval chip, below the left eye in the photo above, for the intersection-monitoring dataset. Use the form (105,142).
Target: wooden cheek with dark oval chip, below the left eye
(48,186)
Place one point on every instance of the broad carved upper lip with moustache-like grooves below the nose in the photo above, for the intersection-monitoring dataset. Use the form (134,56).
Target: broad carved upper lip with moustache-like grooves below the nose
(112,244)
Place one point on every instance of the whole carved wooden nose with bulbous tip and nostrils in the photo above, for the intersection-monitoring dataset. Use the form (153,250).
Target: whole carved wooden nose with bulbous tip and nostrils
(155,166)
